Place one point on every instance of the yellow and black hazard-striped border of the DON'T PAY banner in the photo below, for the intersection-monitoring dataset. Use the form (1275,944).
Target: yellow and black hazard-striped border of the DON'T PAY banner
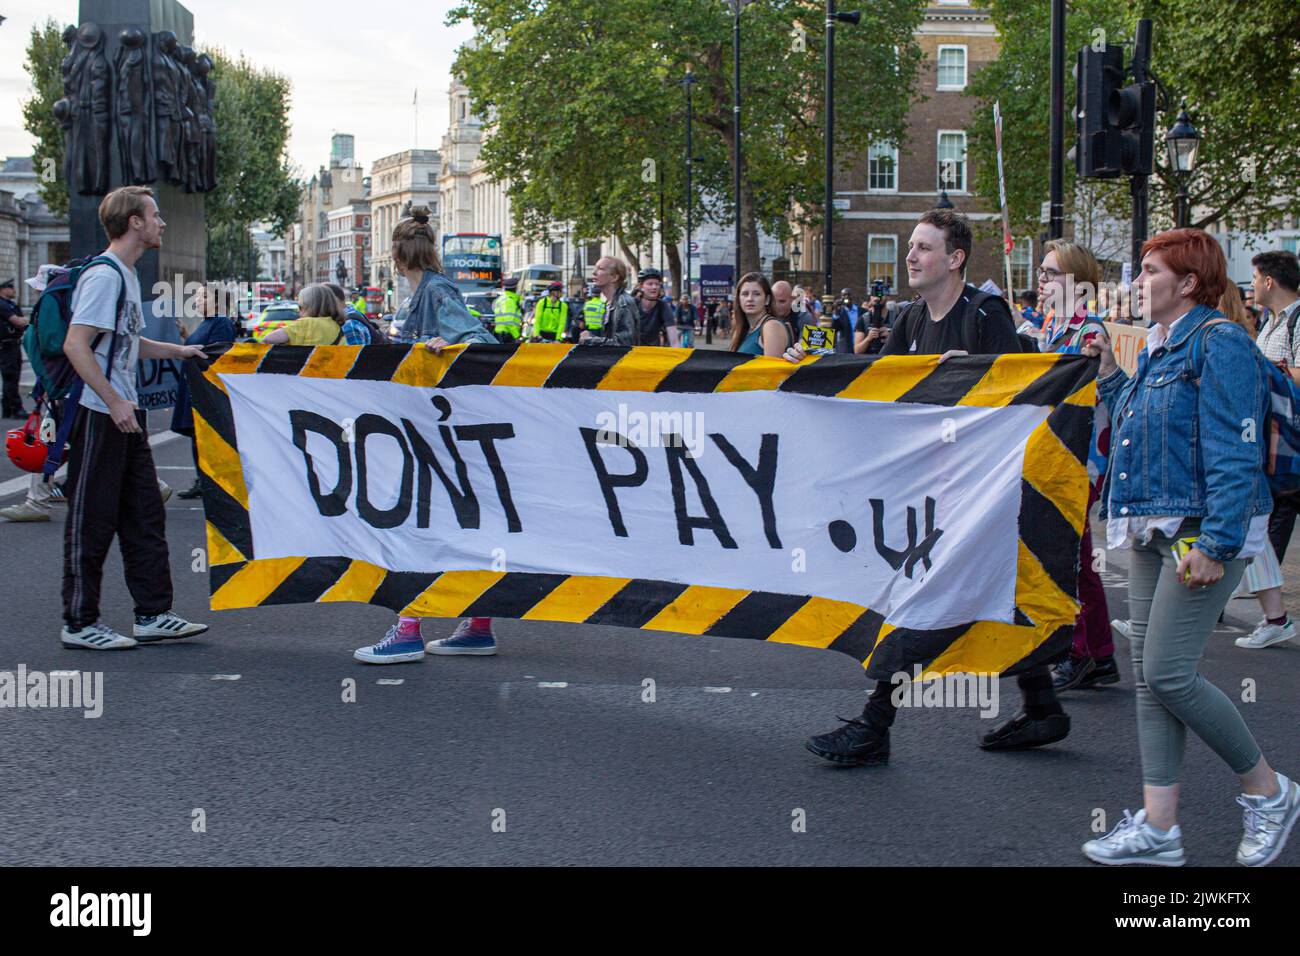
(1052,508)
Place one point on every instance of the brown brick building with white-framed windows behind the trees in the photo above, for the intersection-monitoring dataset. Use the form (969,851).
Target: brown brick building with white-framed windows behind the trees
(890,188)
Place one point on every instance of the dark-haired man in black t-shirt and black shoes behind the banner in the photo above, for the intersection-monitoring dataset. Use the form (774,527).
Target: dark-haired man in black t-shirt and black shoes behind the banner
(968,322)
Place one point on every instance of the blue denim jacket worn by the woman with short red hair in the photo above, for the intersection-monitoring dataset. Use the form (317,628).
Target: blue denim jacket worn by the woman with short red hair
(1181,448)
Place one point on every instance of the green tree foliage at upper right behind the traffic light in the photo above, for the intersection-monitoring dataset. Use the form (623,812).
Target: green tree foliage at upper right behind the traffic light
(1236,72)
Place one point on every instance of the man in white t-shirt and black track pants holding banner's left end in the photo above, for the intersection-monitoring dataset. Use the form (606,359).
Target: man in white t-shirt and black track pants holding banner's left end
(112,485)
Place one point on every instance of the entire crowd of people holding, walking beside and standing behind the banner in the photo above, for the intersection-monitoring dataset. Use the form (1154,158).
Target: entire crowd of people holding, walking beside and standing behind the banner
(1178,486)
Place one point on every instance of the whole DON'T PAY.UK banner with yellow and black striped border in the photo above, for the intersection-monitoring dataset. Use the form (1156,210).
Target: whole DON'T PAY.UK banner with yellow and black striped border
(894,509)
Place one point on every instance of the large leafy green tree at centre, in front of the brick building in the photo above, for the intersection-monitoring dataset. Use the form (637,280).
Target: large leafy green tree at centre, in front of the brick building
(587,111)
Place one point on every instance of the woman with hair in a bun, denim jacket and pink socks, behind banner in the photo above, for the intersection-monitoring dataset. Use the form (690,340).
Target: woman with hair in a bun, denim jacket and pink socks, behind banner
(439,318)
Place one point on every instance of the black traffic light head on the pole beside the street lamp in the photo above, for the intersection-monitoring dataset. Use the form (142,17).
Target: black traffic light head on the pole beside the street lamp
(1116,124)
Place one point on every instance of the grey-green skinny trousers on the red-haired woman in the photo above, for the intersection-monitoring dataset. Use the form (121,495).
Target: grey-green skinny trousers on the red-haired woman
(1171,626)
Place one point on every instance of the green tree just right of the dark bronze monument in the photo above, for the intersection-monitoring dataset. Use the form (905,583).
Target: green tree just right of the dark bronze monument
(255,180)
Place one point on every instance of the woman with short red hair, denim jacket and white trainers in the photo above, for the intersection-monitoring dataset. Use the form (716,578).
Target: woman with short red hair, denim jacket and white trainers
(1188,494)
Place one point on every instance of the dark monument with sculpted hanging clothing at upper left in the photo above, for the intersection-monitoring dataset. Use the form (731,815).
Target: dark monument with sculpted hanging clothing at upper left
(138,109)
